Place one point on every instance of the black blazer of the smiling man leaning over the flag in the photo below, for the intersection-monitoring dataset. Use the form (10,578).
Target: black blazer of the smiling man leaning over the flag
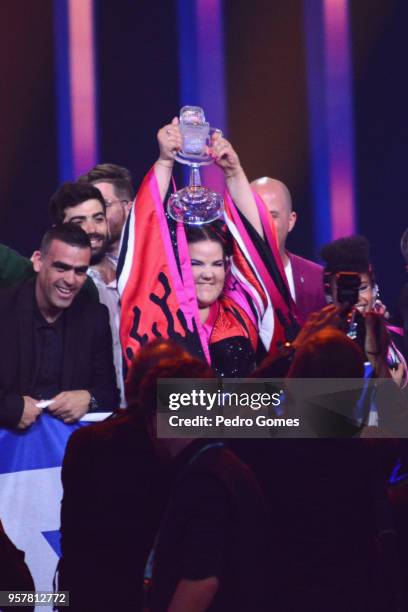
(87,359)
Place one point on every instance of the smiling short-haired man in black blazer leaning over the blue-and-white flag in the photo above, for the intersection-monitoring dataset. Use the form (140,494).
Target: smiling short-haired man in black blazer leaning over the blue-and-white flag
(55,344)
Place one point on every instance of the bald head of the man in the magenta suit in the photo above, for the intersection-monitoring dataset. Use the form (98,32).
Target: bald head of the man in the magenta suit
(277,199)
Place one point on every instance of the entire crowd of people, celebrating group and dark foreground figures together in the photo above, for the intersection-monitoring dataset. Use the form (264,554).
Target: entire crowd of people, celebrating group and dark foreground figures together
(118,296)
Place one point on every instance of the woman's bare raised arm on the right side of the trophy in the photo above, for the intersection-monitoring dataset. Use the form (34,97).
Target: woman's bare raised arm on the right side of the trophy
(237,183)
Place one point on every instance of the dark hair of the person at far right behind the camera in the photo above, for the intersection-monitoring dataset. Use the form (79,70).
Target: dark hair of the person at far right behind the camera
(351,254)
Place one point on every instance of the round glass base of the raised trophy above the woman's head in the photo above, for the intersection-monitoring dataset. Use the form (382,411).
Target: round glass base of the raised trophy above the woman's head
(195,205)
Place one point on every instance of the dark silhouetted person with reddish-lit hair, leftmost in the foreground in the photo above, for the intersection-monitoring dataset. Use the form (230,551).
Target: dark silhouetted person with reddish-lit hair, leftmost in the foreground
(115,486)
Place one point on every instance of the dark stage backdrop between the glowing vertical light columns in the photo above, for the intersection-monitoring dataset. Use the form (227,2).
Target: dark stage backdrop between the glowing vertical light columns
(139,86)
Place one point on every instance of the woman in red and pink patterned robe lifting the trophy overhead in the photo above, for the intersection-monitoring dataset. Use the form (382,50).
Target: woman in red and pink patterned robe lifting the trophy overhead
(216,287)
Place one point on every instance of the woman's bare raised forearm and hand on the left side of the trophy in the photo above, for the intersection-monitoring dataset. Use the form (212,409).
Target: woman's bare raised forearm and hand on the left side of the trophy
(169,139)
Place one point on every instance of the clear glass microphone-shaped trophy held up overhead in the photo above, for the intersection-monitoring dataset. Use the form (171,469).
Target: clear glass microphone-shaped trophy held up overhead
(195,204)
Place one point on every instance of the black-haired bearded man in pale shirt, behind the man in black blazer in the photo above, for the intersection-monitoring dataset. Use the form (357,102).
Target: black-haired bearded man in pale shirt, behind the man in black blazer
(83,204)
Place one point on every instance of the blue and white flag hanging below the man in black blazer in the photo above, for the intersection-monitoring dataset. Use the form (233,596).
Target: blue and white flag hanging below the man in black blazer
(31,493)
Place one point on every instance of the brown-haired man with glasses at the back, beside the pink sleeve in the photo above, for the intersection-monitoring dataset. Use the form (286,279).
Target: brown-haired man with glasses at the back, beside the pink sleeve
(115,184)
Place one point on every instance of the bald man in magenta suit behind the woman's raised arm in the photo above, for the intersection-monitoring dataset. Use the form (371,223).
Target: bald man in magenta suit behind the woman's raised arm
(305,277)
